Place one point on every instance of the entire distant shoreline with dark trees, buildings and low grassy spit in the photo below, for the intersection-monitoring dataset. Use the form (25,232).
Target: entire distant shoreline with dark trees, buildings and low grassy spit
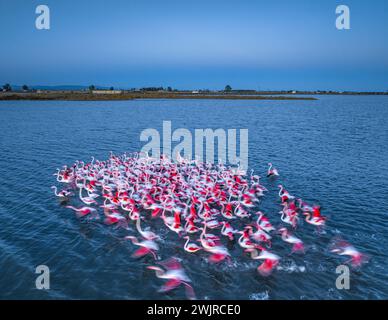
(97,93)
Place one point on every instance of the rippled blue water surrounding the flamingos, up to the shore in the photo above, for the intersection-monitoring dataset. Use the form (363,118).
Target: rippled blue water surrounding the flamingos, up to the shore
(332,152)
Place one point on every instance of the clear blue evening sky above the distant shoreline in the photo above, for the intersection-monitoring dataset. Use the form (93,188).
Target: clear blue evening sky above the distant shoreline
(279,44)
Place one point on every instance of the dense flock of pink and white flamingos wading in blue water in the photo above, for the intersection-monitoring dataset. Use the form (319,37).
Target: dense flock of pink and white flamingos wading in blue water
(192,199)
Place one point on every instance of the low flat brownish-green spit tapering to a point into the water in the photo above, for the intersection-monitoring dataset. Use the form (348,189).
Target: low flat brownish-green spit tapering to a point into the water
(89,96)
